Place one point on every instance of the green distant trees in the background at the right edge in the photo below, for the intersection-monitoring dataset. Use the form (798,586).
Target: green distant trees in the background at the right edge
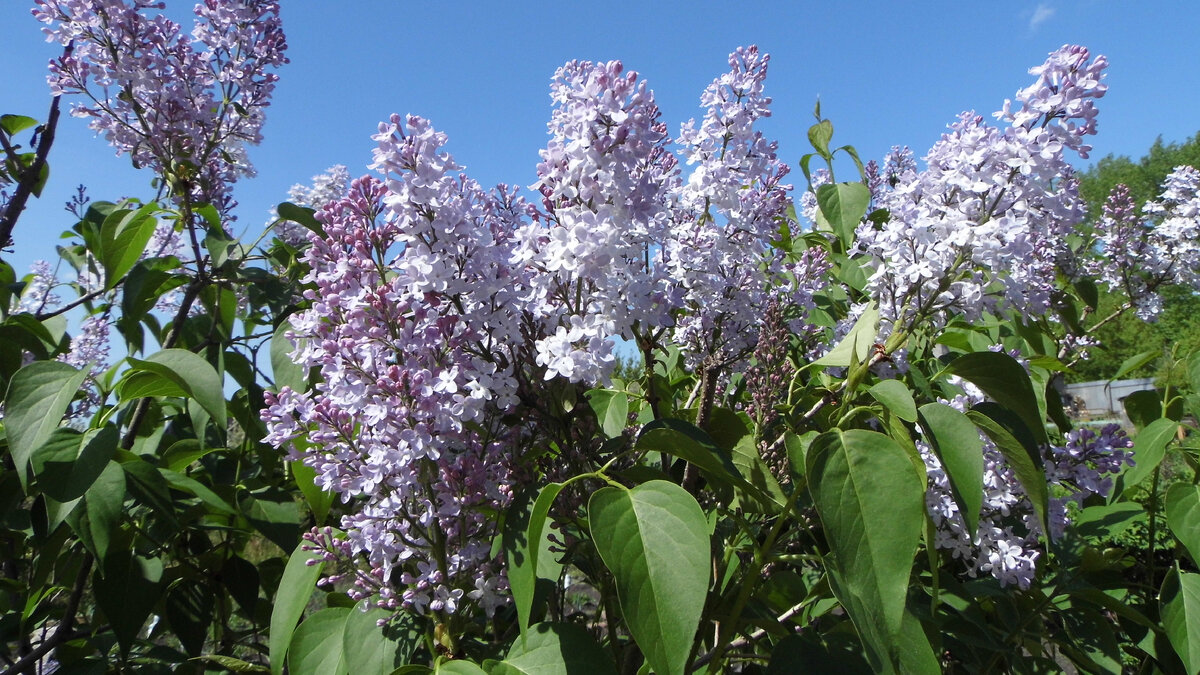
(1179,326)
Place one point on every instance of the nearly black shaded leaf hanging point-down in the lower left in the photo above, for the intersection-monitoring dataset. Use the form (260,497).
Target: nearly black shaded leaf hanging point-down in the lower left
(122,575)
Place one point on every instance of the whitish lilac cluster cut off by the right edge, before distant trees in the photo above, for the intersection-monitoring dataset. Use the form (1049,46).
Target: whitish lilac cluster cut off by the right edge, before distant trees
(1143,256)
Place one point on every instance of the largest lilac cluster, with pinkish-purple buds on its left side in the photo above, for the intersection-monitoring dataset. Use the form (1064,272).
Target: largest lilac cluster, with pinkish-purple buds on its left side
(412,316)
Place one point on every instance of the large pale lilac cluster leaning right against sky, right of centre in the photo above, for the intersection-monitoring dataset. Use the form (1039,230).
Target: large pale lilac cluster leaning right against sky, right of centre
(983,228)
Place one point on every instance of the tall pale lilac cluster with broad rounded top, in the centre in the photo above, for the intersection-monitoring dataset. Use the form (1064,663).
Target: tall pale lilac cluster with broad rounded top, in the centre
(604,178)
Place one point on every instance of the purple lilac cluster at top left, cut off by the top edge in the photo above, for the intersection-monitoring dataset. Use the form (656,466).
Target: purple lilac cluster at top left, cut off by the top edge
(184,105)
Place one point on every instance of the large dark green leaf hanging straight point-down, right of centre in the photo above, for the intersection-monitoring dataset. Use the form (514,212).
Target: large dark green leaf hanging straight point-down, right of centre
(872,504)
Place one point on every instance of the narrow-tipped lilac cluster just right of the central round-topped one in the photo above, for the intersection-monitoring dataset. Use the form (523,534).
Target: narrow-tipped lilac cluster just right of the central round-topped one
(727,217)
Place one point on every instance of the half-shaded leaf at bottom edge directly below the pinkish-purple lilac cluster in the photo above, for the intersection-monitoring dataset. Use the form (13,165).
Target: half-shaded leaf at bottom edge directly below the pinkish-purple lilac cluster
(370,649)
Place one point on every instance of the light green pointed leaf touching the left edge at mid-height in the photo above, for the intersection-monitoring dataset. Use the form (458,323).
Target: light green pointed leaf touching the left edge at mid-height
(39,396)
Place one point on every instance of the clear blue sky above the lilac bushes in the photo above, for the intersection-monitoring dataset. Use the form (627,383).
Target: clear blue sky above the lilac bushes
(886,73)
